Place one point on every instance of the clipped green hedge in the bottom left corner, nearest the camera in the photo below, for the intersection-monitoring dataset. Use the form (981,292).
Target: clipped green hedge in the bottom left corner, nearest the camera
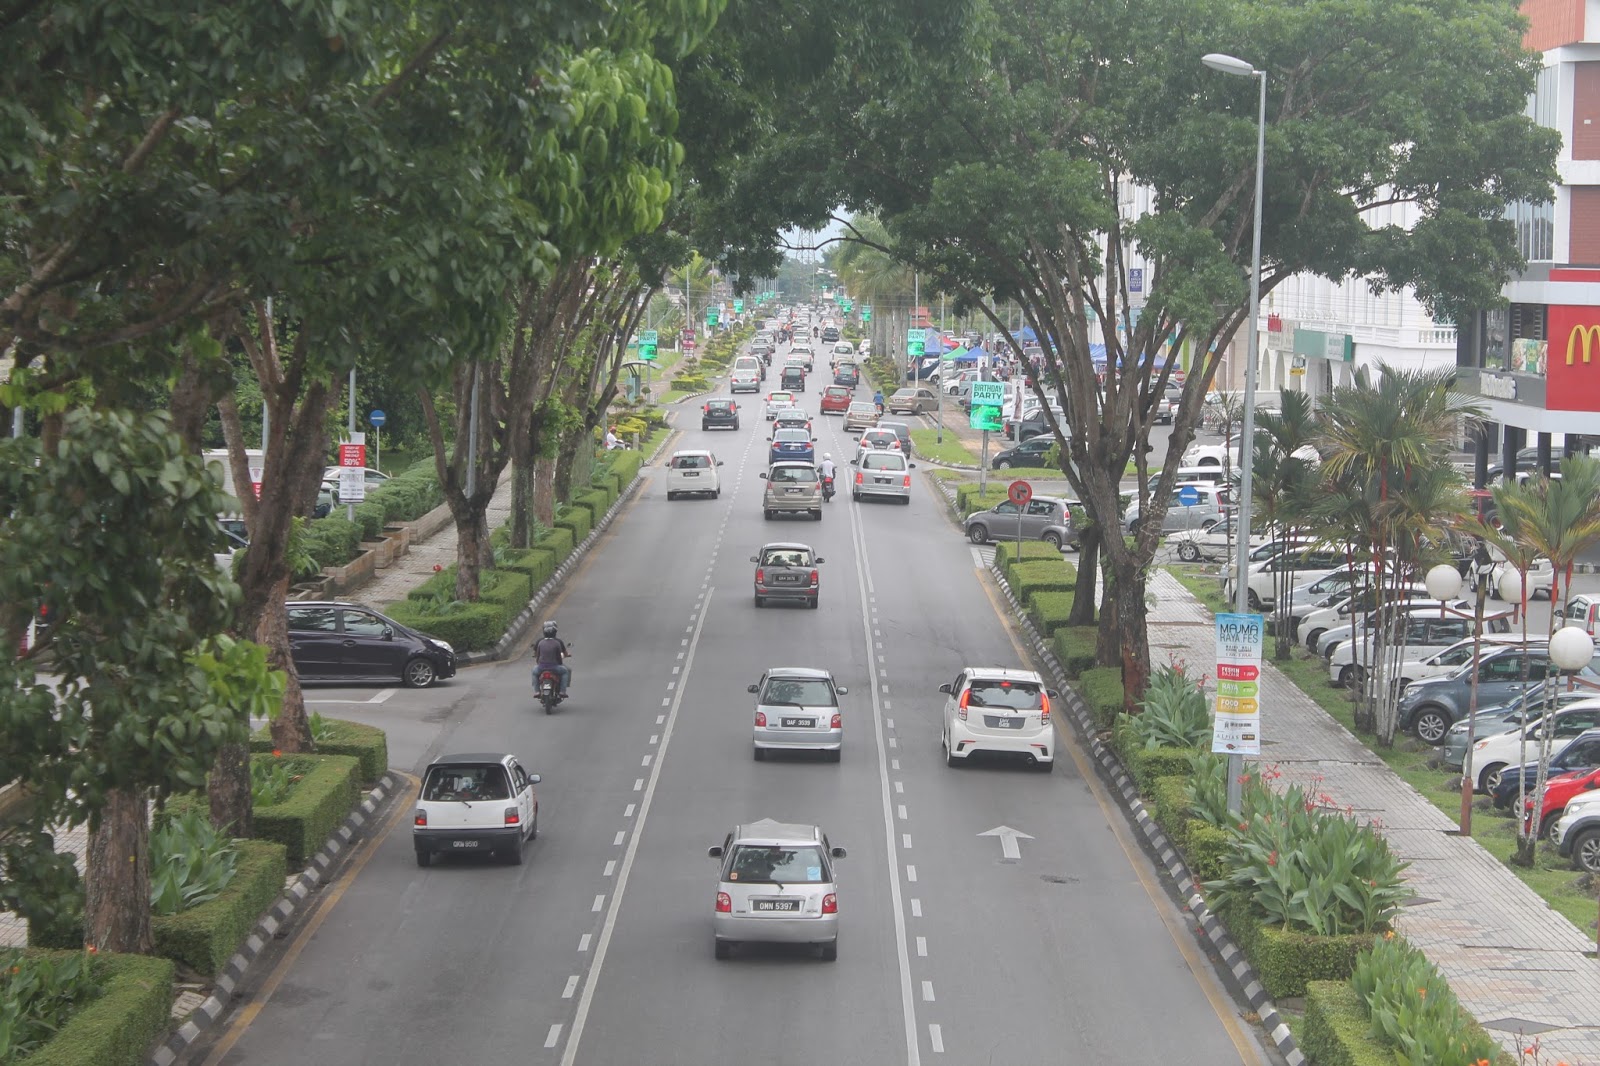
(121,1027)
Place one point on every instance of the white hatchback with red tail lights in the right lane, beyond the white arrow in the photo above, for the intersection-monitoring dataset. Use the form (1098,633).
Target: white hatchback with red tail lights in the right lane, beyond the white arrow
(1002,711)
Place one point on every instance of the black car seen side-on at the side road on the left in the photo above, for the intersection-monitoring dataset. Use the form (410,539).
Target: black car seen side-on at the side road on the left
(348,643)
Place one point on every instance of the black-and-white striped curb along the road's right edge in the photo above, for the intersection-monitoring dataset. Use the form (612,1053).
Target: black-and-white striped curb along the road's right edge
(1169,857)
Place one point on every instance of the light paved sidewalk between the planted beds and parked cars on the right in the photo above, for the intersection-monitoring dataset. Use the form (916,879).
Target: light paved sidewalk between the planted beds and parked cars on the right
(1522,969)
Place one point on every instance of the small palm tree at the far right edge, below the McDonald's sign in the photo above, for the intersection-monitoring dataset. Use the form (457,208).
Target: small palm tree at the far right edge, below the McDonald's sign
(1559,519)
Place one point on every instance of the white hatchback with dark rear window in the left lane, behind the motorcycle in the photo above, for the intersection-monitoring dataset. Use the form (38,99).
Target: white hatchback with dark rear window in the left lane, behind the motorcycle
(476,804)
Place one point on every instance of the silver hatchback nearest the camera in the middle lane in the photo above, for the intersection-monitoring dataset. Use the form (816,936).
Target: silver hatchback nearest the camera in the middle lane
(777,886)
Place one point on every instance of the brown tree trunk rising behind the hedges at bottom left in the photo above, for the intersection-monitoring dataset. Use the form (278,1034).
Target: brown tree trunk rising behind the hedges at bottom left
(118,876)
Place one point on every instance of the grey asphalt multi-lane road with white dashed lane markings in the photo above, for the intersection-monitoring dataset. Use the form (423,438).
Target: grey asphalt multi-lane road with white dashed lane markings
(598,950)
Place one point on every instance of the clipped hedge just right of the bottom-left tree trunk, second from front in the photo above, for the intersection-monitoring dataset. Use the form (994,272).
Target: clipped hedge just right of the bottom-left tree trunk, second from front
(204,939)
